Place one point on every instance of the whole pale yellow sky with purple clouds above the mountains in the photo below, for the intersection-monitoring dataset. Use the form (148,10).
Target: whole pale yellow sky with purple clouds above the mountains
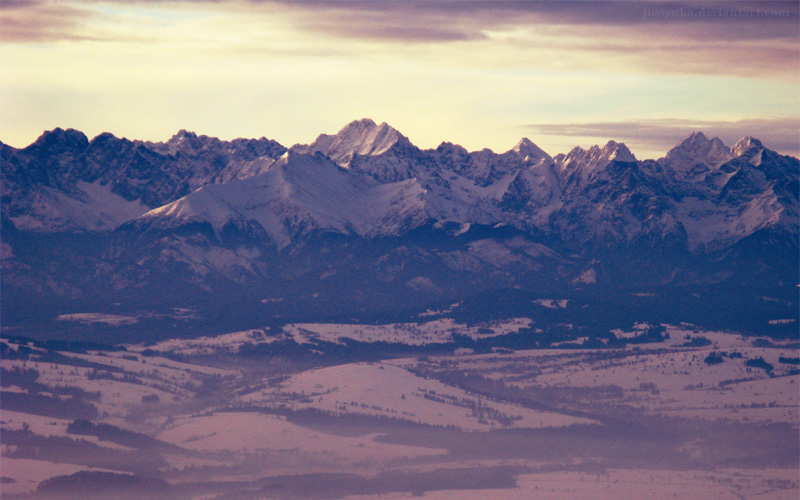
(482,74)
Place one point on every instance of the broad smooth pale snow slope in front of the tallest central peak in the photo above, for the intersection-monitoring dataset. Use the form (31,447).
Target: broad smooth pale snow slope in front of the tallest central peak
(299,193)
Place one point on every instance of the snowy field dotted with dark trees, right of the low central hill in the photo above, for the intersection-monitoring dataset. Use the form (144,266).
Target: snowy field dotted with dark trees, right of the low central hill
(666,378)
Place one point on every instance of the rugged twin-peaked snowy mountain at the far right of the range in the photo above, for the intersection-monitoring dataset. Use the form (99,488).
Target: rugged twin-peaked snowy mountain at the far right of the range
(723,195)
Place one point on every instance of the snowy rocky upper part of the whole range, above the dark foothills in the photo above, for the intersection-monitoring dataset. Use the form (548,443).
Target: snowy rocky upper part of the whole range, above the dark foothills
(702,191)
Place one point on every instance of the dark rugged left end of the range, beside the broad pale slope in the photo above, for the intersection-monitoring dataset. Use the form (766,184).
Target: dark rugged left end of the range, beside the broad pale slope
(64,182)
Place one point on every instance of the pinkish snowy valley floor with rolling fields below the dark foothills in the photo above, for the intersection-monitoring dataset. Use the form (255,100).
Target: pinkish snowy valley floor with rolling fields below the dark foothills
(696,414)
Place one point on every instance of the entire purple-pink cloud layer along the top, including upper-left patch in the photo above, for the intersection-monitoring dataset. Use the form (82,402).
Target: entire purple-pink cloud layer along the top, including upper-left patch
(746,38)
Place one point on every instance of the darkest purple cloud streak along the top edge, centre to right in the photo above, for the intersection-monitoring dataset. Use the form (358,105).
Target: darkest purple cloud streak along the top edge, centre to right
(438,20)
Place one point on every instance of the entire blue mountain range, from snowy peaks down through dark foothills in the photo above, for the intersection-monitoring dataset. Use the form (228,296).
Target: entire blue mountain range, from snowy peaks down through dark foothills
(363,223)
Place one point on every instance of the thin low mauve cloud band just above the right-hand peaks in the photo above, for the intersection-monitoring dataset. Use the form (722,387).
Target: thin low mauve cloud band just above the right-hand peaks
(781,134)
